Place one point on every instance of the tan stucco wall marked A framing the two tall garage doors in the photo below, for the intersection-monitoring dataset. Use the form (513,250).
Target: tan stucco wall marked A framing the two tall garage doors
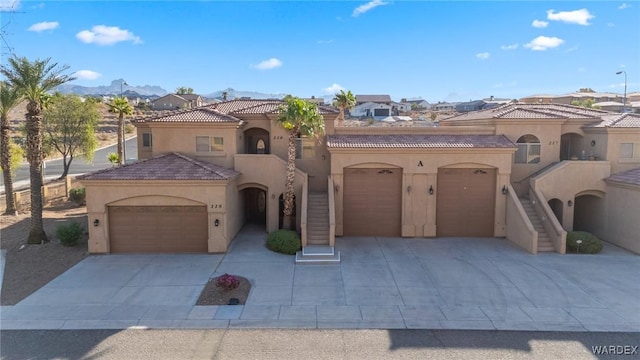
(420,169)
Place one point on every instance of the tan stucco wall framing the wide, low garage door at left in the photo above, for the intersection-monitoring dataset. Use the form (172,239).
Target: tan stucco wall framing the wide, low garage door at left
(101,194)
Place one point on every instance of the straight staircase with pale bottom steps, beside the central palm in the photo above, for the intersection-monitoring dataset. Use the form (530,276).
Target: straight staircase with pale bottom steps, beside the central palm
(318,250)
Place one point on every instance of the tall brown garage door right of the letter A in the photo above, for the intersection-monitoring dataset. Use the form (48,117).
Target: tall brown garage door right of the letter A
(465,202)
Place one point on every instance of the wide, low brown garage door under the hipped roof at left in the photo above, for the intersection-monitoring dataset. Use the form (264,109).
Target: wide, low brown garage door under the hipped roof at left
(155,229)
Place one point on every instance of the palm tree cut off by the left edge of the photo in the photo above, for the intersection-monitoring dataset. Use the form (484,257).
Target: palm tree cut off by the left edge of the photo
(9,98)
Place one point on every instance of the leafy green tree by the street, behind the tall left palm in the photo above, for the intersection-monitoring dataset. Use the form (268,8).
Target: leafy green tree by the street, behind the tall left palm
(69,126)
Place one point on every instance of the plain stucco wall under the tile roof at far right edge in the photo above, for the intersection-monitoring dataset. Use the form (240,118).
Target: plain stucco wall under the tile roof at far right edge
(623,207)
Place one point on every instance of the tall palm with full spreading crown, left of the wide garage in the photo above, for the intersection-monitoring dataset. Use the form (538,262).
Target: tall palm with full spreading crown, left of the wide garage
(33,80)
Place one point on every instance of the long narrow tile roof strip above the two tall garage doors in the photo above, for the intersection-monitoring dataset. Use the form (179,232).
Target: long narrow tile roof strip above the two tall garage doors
(418,141)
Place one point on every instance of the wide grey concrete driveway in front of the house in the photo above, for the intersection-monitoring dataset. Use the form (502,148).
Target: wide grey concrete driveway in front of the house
(381,283)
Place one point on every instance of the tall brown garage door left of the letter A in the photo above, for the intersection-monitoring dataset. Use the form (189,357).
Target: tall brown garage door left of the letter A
(372,202)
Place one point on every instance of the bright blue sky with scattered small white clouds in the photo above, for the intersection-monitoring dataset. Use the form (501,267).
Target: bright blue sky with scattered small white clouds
(437,50)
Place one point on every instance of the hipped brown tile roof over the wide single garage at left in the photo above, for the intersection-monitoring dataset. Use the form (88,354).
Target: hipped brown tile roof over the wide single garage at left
(173,166)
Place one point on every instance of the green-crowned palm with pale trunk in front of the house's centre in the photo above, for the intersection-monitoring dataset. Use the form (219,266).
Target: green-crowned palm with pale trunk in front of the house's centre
(298,117)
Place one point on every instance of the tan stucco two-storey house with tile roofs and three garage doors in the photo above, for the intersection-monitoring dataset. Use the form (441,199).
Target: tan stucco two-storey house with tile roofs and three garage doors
(524,172)
